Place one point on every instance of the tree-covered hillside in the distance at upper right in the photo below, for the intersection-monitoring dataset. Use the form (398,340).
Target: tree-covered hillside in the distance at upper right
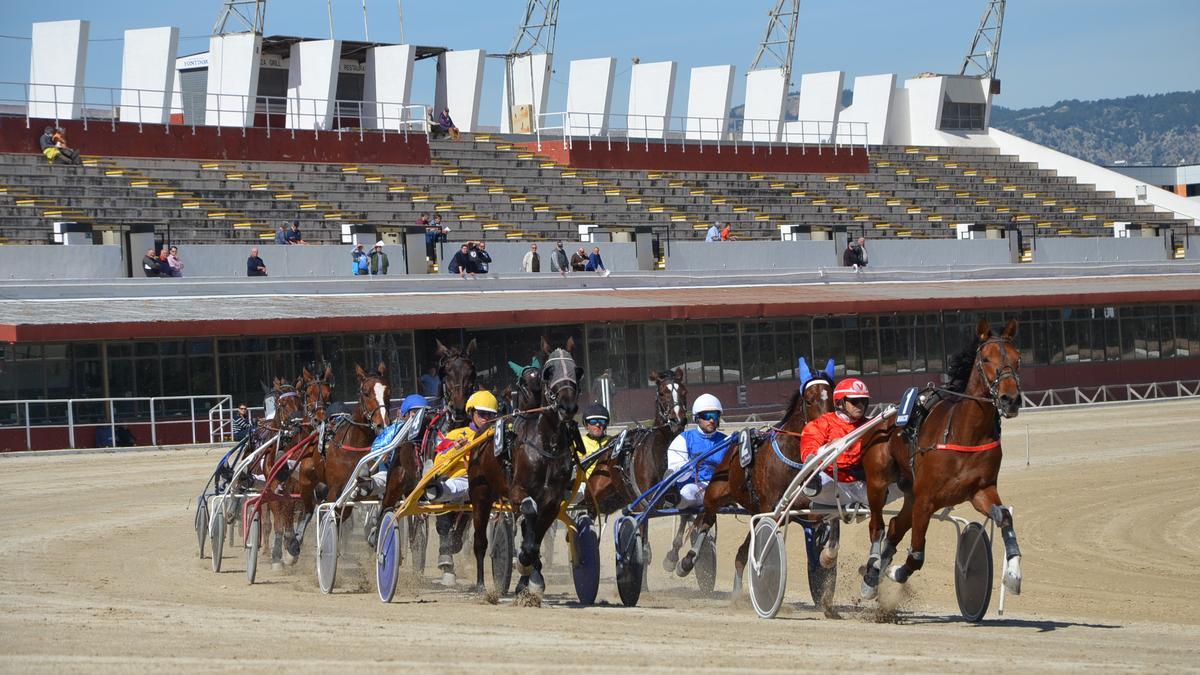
(1142,130)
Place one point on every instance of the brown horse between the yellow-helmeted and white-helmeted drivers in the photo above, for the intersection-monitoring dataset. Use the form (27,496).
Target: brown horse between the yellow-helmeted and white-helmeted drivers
(626,473)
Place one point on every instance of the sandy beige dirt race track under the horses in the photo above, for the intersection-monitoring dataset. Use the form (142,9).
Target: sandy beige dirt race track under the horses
(100,572)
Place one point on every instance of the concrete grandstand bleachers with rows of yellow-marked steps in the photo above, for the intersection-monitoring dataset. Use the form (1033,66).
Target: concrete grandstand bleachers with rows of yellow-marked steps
(493,189)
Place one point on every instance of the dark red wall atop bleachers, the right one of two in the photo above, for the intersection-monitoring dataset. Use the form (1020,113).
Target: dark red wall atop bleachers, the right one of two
(704,157)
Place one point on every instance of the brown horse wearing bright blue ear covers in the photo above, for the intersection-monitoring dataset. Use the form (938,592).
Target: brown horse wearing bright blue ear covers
(759,487)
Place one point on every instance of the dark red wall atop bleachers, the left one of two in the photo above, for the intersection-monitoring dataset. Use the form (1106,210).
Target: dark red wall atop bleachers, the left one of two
(219,144)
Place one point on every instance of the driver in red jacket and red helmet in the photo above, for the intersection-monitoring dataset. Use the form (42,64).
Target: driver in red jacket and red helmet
(850,402)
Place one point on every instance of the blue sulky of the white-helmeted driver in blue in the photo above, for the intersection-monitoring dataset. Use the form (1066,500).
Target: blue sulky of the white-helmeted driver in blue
(629,531)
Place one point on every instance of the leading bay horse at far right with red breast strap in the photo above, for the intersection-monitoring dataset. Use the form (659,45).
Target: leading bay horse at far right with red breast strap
(955,457)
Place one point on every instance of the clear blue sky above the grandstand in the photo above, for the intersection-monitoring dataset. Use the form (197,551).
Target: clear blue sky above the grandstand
(1052,50)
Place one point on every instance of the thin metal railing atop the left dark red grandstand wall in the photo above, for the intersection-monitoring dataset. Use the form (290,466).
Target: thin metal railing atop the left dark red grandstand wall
(291,115)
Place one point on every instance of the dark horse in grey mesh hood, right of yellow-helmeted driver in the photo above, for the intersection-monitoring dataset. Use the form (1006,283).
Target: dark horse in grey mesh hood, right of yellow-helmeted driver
(537,473)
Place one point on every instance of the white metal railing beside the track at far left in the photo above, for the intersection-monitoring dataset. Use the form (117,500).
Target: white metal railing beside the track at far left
(77,415)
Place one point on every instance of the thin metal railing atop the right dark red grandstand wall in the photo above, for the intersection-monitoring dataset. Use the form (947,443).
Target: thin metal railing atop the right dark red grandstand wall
(601,128)
